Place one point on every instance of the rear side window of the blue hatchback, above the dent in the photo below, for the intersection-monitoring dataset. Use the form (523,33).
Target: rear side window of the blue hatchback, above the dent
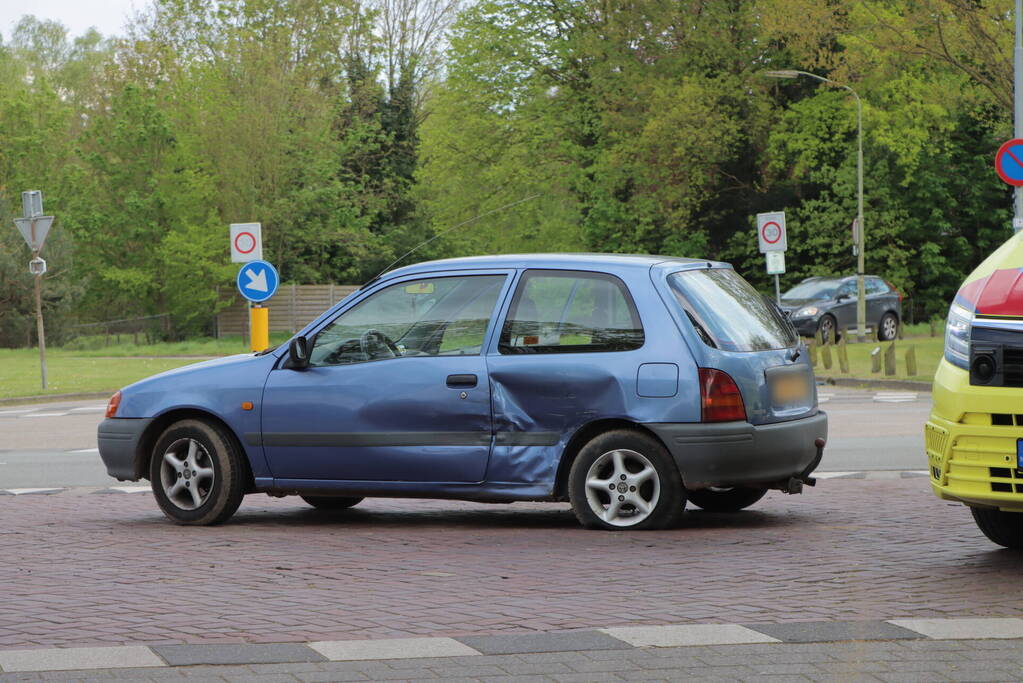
(563,312)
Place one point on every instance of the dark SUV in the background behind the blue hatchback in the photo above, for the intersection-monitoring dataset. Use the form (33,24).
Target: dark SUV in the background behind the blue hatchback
(829,305)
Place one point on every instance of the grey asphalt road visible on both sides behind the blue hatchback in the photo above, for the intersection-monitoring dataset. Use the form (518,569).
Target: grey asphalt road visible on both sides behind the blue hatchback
(55,445)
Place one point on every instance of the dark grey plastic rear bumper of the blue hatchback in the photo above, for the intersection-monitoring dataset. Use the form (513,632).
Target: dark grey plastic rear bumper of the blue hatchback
(743,454)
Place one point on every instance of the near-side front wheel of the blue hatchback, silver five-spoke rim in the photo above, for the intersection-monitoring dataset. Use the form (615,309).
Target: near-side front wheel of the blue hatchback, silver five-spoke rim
(197,474)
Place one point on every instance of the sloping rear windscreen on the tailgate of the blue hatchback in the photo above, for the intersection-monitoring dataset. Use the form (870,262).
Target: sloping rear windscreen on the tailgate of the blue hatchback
(728,313)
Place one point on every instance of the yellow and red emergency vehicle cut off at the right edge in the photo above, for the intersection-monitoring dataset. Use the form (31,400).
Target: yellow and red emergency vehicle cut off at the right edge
(974,437)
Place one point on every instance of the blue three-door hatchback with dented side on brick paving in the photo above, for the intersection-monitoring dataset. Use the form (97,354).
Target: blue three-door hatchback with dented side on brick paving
(627,385)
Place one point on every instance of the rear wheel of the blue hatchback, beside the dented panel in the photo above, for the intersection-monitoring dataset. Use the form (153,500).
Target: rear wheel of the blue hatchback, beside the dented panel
(644,487)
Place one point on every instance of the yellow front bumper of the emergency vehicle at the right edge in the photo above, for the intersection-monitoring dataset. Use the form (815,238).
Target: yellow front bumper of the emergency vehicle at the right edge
(971,460)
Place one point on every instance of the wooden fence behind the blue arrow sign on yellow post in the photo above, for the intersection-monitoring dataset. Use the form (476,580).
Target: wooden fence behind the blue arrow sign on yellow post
(291,309)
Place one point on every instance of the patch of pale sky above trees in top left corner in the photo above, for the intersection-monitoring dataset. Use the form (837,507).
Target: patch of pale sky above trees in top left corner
(107,16)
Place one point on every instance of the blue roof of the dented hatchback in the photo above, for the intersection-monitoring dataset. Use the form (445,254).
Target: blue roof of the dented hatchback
(567,261)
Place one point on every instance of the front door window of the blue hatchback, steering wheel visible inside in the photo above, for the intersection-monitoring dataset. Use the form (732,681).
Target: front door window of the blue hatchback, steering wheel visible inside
(441,316)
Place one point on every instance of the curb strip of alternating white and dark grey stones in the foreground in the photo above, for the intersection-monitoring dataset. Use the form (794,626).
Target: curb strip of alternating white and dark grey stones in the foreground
(621,639)
